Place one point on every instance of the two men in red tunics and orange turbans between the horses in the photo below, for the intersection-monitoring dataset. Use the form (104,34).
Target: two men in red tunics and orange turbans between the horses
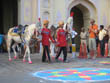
(61,41)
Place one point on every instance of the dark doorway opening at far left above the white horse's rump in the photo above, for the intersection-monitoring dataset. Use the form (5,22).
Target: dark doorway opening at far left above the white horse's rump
(8,15)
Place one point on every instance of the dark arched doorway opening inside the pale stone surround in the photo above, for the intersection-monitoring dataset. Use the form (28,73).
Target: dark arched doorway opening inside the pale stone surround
(80,19)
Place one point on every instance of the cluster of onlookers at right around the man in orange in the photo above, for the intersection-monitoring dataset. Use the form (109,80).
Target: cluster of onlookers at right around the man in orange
(95,37)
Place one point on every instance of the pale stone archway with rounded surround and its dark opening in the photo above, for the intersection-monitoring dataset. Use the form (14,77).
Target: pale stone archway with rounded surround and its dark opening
(84,11)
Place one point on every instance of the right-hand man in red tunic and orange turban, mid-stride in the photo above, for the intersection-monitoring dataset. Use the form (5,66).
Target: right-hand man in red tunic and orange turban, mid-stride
(62,42)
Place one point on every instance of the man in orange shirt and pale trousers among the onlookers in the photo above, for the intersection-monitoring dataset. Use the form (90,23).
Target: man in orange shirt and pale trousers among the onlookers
(92,38)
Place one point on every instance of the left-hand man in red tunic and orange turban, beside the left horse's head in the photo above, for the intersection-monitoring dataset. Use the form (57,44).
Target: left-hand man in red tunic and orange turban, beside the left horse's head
(45,40)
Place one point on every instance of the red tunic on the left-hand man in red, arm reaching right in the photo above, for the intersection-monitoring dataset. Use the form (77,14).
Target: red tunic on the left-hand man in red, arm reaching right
(46,36)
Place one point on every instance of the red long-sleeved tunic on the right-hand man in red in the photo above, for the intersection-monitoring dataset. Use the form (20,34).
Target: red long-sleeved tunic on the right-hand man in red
(61,38)
